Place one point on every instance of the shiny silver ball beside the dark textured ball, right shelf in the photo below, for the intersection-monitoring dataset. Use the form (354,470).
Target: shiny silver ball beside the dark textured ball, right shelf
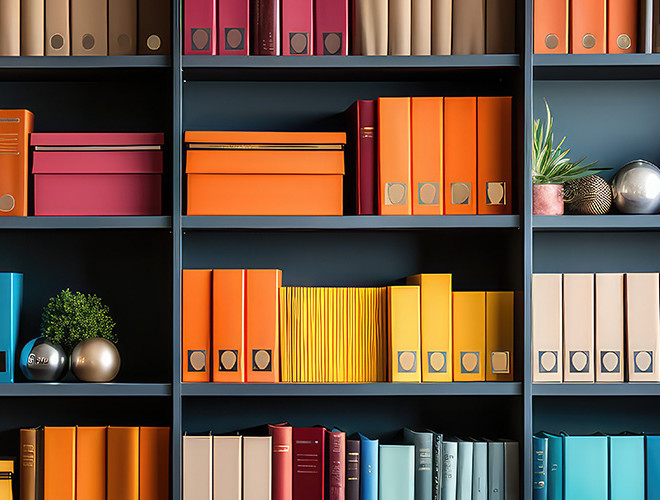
(636,188)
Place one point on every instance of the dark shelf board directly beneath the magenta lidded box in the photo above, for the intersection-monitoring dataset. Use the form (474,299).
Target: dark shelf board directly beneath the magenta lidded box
(82,222)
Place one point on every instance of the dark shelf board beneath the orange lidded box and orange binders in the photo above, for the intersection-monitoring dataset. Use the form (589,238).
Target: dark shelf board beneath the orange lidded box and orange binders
(356,222)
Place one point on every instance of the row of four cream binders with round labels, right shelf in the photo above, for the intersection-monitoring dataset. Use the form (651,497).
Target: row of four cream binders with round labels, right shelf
(602,327)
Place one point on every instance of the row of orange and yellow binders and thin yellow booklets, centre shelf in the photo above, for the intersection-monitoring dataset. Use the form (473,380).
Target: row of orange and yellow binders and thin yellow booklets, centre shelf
(242,326)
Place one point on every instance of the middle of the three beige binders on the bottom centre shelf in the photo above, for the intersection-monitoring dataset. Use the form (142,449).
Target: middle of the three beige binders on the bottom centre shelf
(227,467)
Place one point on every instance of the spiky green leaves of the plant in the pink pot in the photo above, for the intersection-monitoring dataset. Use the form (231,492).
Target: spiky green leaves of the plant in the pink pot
(551,165)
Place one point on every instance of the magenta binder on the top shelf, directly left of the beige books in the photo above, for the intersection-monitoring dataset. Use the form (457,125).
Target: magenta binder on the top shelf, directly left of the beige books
(331,28)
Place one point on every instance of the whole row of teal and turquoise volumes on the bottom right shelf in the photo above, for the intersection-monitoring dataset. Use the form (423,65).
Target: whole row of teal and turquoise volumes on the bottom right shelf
(616,467)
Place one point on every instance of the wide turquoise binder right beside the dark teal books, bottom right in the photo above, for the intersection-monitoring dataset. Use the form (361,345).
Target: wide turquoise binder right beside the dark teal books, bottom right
(585,468)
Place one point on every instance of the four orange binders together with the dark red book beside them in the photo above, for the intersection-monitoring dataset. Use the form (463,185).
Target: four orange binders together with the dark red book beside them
(431,156)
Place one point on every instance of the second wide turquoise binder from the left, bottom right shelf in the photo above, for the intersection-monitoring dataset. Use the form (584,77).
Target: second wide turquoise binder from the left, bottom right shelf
(626,467)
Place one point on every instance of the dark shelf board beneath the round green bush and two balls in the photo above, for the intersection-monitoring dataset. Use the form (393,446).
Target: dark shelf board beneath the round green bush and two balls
(84,389)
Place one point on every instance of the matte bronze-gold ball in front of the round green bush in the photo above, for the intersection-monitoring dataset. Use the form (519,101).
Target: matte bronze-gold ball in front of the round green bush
(95,360)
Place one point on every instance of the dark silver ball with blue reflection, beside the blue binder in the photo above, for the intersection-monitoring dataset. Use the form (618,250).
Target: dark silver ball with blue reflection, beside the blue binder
(43,361)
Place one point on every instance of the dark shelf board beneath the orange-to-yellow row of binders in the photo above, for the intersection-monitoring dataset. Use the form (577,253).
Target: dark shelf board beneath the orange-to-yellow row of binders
(373,389)
